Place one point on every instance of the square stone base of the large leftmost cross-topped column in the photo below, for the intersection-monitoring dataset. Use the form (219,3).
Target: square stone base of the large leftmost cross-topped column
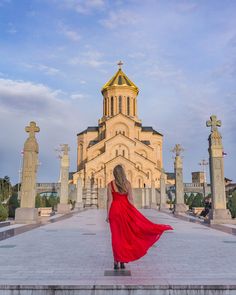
(26,215)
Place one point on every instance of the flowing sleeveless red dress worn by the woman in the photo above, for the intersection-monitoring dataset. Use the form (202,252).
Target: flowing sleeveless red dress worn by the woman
(132,233)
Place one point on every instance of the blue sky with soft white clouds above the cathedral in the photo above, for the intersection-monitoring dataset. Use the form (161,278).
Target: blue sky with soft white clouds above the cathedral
(55,55)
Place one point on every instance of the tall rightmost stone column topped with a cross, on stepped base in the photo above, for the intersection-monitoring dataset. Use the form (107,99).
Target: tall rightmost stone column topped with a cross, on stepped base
(218,213)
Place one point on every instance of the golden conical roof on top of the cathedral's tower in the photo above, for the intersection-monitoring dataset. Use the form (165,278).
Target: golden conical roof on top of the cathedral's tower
(120,79)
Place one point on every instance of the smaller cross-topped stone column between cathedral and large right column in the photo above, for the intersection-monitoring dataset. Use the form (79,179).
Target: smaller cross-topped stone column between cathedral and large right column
(180,206)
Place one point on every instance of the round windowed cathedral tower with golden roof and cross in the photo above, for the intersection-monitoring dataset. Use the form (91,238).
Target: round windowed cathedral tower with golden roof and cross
(119,96)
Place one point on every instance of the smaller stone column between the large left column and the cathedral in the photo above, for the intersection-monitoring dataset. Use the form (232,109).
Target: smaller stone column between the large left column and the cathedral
(63,207)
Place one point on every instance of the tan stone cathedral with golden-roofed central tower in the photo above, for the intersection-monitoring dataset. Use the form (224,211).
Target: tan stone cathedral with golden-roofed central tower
(119,138)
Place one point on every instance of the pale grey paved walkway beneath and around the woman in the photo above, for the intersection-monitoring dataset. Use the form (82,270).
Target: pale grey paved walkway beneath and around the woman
(77,251)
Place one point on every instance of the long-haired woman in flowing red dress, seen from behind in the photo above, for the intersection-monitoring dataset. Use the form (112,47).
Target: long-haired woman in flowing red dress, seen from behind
(132,233)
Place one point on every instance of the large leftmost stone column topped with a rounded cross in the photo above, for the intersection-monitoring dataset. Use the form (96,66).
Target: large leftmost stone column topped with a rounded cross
(27,213)
